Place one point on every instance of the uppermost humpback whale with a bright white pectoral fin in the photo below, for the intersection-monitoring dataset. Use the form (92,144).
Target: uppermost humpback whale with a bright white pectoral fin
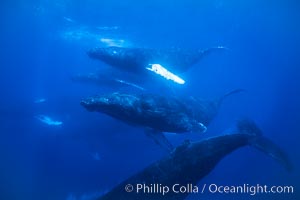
(164,62)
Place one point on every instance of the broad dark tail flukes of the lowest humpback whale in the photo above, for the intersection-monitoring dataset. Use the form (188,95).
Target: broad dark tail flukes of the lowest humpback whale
(258,141)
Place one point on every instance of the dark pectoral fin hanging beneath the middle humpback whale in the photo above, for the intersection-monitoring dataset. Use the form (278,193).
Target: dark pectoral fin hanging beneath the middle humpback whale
(160,139)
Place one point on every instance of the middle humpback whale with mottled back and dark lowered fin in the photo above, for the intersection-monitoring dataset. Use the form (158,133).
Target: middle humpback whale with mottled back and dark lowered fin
(156,113)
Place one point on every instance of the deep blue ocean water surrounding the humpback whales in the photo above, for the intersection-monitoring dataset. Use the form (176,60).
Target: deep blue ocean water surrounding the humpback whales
(44,43)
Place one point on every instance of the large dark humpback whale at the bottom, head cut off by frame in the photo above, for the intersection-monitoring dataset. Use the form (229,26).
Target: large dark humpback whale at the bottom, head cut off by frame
(190,162)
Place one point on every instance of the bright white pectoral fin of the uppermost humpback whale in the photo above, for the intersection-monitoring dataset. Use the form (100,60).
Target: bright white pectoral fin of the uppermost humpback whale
(162,71)
